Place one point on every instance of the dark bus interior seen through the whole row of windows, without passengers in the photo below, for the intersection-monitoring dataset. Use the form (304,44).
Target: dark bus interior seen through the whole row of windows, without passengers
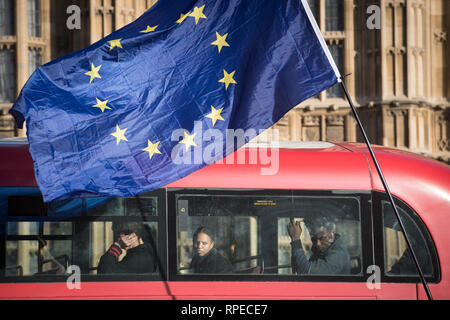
(249,228)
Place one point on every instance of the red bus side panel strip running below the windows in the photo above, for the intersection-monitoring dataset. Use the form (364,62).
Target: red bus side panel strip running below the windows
(208,290)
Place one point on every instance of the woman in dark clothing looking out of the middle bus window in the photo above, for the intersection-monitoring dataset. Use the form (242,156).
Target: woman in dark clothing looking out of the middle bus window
(206,258)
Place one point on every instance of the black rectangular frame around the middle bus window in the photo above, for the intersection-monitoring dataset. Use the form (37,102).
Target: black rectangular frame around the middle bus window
(366,236)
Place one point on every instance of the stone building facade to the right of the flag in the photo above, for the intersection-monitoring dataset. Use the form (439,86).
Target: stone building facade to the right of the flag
(398,76)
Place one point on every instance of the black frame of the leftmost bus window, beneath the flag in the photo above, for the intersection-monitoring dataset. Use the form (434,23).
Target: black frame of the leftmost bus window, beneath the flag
(161,243)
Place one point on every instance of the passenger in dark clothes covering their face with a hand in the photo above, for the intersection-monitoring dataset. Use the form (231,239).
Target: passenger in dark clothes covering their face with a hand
(129,241)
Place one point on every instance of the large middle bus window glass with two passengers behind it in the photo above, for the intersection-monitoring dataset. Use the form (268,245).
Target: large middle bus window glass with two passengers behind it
(250,231)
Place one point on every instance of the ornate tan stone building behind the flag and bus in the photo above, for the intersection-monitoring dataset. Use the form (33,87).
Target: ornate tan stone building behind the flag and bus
(398,72)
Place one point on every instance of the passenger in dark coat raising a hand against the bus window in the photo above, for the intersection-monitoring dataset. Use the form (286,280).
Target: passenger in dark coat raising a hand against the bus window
(329,253)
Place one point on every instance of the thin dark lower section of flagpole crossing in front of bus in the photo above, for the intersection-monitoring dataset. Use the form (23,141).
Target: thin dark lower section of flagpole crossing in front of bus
(372,154)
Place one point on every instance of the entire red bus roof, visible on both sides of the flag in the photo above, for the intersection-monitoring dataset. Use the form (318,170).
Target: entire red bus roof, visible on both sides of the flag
(312,166)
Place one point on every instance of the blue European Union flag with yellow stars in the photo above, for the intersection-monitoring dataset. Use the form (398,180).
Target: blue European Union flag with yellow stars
(128,113)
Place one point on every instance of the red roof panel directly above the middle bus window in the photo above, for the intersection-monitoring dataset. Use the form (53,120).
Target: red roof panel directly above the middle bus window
(297,166)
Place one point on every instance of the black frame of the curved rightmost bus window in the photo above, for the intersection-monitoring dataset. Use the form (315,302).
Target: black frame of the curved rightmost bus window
(378,198)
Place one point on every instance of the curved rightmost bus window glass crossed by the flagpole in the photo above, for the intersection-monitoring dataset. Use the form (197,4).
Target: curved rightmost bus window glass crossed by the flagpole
(397,258)
